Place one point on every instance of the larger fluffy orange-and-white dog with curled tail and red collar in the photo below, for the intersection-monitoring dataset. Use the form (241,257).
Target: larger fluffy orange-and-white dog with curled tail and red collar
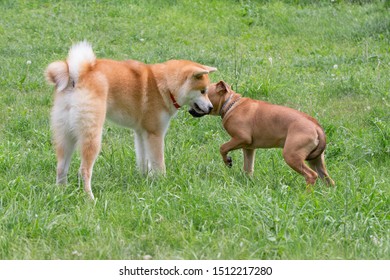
(140,96)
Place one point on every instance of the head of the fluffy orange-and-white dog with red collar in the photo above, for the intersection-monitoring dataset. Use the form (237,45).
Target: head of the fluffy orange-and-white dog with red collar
(191,85)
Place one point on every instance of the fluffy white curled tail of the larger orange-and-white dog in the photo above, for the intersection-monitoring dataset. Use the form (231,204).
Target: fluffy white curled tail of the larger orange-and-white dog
(65,73)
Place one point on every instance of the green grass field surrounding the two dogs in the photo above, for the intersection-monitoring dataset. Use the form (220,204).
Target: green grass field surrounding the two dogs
(330,59)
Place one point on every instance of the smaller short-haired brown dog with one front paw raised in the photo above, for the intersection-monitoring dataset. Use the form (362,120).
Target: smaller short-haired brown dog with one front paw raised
(256,124)
